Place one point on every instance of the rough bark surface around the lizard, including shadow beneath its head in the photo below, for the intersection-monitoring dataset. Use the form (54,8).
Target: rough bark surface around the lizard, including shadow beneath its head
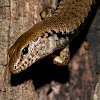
(75,82)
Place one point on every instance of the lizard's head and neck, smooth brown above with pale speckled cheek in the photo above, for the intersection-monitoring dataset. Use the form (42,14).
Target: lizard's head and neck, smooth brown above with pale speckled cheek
(31,46)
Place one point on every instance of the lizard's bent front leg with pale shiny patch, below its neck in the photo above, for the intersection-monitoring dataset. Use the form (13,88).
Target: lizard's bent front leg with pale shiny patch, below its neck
(64,57)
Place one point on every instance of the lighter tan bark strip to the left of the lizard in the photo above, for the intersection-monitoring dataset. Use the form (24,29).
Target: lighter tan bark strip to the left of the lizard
(16,17)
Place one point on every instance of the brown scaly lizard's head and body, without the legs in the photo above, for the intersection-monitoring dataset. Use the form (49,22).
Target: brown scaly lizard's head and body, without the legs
(49,35)
